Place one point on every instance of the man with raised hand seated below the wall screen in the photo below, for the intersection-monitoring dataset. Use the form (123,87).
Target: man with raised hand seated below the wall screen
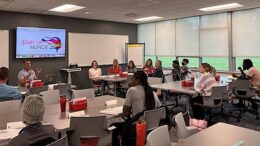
(27,73)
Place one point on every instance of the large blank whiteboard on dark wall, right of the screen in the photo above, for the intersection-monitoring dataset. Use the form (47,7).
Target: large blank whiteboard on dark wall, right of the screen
(84,48)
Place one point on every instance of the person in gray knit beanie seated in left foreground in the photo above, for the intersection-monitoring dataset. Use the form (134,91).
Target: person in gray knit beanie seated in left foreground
(35,131)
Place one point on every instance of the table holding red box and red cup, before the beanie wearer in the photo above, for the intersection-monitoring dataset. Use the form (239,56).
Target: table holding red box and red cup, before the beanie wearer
(59,119)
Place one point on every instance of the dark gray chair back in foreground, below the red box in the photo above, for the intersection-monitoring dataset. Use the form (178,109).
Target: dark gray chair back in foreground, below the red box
(86,127)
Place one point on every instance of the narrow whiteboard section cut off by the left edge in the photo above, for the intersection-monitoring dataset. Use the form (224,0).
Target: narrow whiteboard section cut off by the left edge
(4,48)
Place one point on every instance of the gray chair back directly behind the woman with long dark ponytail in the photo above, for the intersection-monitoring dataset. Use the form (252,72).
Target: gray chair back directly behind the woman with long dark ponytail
(153,117)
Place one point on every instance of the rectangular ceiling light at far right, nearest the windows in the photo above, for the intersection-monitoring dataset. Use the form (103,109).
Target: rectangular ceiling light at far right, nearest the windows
(221,7)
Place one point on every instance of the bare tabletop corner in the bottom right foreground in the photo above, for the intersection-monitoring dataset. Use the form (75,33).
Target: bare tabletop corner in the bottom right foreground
(222,134)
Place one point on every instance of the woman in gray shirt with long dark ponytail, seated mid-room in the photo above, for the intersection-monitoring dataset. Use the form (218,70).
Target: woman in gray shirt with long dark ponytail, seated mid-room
(139,97)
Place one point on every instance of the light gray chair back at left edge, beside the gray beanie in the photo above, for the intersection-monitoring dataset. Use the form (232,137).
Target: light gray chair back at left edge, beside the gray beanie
(10,106)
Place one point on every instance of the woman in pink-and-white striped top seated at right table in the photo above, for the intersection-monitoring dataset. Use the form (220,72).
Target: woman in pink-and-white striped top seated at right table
(204,87)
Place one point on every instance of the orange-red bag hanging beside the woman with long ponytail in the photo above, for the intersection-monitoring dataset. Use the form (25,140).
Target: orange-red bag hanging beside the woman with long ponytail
(140,133)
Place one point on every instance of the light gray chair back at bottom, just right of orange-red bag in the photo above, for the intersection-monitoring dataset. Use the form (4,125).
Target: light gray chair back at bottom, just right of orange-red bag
(159,137)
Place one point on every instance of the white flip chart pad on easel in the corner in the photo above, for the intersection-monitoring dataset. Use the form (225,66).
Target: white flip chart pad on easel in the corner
(135,52)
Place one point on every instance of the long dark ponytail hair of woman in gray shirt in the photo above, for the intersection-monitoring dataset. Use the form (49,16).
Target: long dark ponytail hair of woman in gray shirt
(149,96)
